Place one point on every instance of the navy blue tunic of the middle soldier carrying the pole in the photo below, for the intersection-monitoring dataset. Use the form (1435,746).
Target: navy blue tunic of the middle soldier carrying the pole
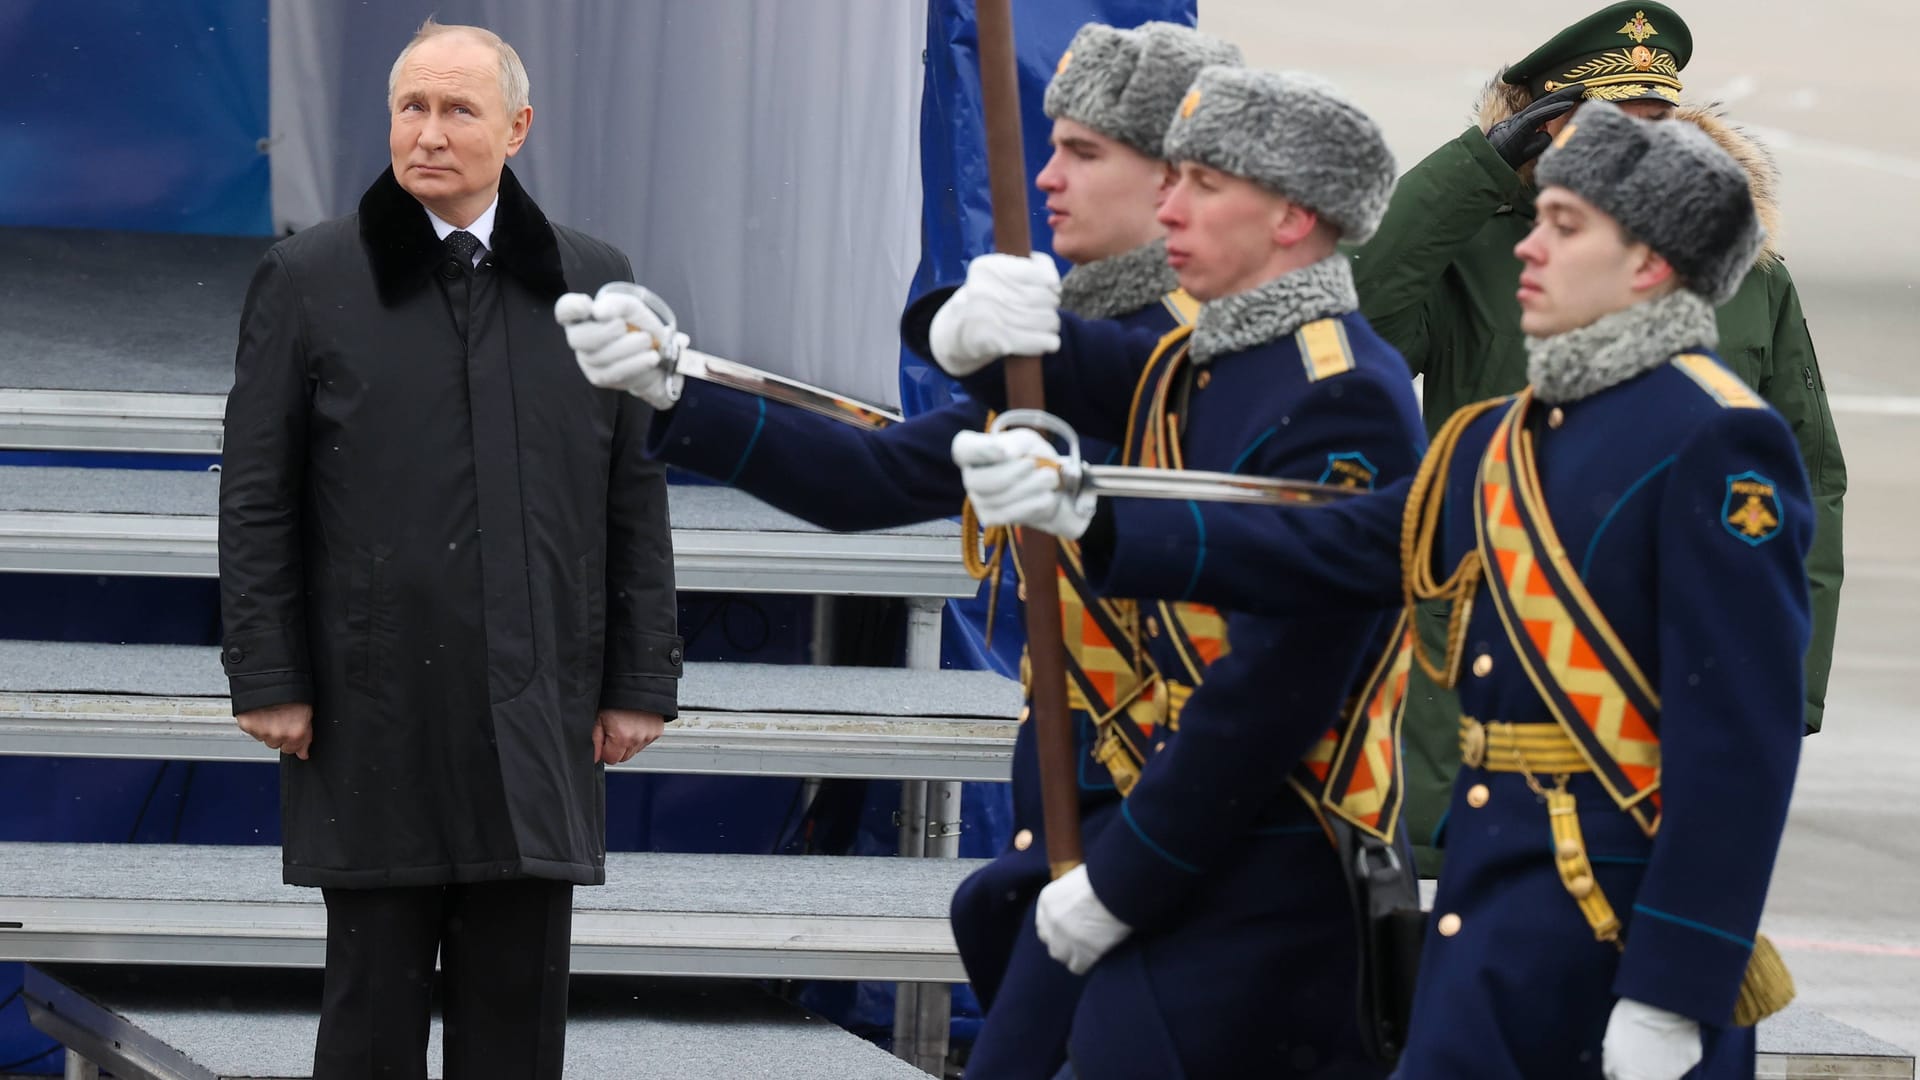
(1243,960)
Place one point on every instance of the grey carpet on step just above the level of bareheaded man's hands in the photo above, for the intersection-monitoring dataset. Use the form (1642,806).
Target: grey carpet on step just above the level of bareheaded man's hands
(195,672)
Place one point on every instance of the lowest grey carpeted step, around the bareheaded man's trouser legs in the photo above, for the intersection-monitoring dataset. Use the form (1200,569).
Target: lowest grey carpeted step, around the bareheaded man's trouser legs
(631,1029)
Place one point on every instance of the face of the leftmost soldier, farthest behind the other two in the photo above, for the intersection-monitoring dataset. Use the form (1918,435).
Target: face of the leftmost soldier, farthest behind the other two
(1101,195)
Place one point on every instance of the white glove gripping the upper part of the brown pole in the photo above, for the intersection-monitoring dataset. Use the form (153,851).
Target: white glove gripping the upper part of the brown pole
(1009,307)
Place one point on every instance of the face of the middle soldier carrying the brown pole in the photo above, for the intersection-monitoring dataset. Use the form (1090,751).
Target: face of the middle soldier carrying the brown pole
(1222,232)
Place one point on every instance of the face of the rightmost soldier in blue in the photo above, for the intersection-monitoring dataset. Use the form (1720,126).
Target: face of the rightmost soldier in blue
(1579,266)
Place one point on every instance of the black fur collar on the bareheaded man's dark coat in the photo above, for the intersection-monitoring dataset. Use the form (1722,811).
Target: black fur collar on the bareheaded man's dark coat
(404,251)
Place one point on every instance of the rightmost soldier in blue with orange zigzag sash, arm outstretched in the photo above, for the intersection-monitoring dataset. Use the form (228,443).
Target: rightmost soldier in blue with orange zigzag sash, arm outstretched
(1623,545)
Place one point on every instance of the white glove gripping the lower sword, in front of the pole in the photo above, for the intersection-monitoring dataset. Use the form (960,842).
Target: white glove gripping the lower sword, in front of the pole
(1017,478)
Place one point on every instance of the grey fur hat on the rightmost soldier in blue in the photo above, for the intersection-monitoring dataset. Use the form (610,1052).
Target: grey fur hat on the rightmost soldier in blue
(1669,187)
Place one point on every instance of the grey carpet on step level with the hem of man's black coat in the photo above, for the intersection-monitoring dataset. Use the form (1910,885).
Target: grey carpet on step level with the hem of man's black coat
(636,881)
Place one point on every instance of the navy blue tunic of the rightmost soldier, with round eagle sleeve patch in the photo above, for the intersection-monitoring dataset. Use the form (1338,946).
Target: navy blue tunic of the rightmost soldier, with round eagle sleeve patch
(1683,506)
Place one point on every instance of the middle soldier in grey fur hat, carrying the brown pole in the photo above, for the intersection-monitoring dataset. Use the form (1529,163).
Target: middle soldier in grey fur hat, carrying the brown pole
(1214,918)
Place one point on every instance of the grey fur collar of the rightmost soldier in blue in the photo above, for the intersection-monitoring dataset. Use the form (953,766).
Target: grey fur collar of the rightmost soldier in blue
(1620,347)
